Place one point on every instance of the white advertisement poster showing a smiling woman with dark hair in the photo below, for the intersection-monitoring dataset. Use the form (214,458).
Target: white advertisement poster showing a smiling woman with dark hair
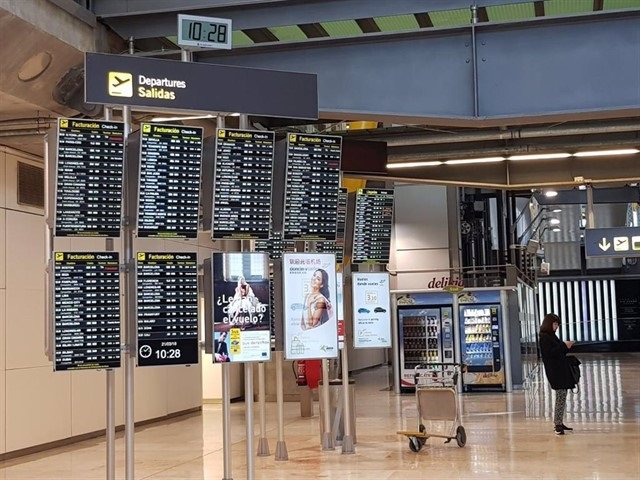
(310,304)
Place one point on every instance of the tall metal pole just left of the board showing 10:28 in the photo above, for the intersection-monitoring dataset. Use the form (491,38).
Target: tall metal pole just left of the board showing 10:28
(128,319)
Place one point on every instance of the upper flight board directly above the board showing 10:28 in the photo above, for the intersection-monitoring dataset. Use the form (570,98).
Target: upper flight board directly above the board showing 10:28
(169,181)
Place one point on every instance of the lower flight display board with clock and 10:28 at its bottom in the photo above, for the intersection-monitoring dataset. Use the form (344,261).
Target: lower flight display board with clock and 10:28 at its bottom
(167,286)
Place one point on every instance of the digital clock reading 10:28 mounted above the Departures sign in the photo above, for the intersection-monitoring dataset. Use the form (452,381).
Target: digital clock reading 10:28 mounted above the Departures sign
(204,32)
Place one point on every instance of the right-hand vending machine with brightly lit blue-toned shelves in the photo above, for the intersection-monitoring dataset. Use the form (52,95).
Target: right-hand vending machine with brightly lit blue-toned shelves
(481,347)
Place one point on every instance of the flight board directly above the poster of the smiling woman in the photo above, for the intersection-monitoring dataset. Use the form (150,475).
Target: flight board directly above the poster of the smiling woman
(312,186)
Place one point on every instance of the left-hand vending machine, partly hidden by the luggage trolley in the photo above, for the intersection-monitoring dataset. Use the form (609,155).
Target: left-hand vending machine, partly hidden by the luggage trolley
(425,336)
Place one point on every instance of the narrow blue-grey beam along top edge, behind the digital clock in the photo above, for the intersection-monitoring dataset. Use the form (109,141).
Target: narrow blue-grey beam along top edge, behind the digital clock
(157,18)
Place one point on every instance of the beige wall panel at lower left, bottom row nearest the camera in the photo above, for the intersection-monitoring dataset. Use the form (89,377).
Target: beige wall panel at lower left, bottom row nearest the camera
(38,403)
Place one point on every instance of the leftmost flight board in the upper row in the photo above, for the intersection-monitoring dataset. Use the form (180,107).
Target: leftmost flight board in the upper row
(90,159)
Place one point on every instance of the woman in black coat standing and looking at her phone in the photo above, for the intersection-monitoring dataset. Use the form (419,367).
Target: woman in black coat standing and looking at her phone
(556,367)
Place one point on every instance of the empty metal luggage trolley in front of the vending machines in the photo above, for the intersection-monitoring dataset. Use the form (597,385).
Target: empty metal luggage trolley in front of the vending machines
(437,401)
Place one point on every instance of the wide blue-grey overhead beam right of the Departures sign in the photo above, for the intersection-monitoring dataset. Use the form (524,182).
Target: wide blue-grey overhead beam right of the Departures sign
(533,71)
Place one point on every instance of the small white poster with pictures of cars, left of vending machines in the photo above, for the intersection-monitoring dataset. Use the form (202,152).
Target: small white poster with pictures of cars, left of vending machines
(371,310)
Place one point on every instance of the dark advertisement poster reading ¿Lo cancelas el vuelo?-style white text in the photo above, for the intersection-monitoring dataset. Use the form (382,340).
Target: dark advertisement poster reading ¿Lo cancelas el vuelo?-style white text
(241,317)
